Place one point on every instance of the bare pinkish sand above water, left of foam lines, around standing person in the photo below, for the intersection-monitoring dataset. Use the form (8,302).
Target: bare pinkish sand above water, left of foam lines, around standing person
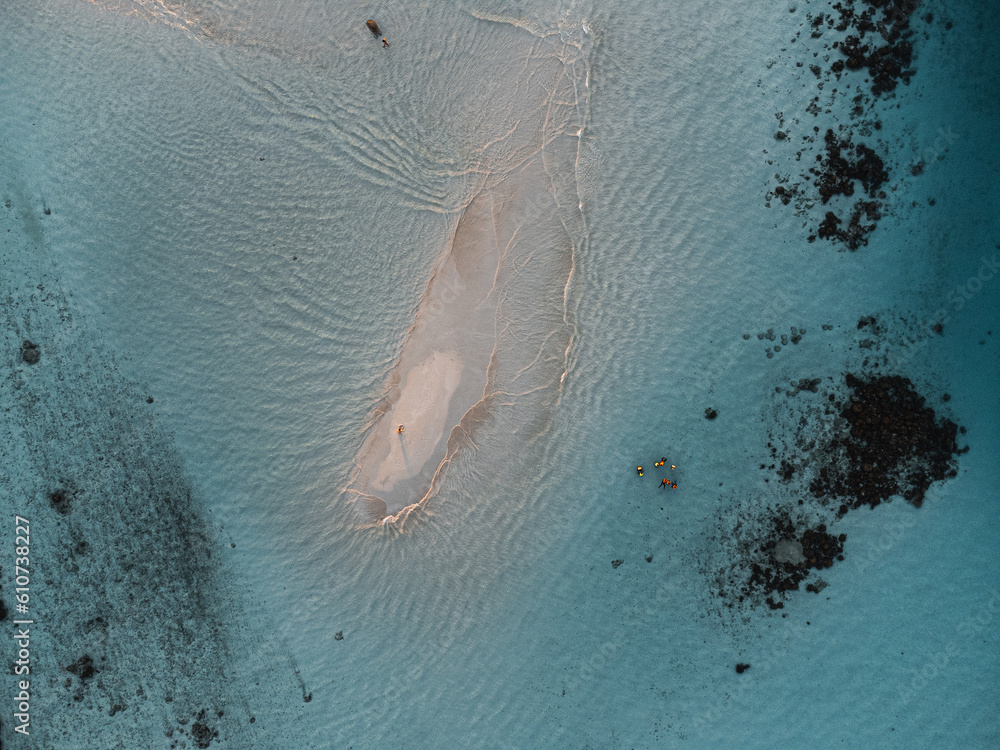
(441,373)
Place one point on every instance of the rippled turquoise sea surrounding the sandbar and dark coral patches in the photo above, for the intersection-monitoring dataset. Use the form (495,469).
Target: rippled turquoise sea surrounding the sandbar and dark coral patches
(246,203)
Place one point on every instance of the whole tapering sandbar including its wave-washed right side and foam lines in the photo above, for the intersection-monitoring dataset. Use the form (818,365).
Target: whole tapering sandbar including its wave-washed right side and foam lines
(491,330)
